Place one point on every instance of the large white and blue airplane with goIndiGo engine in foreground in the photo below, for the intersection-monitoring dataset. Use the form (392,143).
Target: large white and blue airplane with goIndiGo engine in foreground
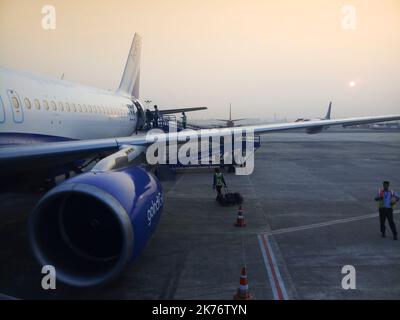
(90,226)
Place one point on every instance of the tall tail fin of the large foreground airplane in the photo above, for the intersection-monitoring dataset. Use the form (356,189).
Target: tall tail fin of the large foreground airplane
(131,77)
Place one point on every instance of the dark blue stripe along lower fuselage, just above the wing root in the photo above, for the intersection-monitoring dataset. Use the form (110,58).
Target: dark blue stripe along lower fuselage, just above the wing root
(8,139)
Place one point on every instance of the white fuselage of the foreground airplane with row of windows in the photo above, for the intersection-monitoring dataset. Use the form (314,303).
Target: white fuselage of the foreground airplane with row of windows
(35,108)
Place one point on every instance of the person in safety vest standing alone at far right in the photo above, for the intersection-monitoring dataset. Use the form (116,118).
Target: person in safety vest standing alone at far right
(386,201)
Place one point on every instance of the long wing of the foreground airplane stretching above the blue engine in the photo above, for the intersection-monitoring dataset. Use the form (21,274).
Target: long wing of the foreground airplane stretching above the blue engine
(16,158)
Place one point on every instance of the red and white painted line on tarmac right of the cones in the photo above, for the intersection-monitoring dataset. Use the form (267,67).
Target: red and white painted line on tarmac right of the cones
(274,275)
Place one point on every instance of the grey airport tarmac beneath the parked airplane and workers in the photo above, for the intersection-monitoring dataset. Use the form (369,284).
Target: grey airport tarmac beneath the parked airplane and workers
(309,212)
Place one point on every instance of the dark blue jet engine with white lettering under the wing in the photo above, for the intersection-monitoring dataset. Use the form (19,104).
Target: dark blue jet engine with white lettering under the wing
(91,226)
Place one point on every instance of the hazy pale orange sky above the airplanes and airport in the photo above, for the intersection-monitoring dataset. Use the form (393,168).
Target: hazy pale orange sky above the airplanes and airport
(284,57)
